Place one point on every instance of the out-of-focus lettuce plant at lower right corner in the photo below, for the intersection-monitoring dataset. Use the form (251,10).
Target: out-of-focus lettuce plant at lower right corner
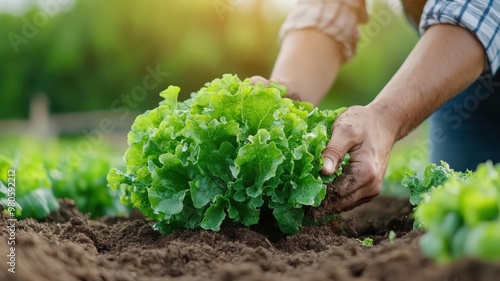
(459,211)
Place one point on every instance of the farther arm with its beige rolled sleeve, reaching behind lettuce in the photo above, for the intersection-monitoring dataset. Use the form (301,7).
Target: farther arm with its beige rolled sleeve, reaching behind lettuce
(317,37)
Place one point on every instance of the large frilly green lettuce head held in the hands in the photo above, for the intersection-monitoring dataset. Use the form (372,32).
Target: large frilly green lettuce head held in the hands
(228,152)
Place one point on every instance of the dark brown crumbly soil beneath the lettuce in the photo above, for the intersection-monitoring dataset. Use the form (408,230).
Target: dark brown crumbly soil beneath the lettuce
(69,246)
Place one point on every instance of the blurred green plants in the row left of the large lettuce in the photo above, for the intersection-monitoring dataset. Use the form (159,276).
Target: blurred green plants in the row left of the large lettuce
(59,168)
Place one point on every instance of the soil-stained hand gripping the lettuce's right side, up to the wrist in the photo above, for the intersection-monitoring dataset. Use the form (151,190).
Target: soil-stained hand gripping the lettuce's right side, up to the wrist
(368,139)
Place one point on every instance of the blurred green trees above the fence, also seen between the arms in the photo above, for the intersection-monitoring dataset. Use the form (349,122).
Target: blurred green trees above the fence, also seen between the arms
(94,54)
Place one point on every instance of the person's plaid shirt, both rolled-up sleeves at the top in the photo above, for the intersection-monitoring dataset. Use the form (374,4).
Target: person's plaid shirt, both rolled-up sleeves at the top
(340,19)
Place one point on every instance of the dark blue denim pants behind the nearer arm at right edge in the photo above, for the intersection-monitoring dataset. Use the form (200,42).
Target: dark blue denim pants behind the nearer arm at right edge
(466,130)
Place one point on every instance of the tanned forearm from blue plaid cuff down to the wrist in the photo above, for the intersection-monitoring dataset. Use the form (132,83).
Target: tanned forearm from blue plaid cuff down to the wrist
(445,61)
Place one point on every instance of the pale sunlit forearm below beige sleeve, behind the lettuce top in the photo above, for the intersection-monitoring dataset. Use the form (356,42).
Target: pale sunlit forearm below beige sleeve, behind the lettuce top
(307,64)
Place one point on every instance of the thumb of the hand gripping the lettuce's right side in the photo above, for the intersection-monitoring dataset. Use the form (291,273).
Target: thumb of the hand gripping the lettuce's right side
(334,152)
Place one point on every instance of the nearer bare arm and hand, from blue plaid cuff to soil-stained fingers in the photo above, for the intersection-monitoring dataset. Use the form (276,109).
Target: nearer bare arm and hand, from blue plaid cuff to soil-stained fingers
(445,60)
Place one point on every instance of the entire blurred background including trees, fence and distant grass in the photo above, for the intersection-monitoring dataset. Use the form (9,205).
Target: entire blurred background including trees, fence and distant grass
(81,70)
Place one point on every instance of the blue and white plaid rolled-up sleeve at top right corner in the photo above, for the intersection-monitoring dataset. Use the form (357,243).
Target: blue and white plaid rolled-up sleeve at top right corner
(481,17)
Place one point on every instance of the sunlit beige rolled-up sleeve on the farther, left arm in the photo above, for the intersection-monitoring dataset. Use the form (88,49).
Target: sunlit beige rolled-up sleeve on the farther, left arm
(338,19)
